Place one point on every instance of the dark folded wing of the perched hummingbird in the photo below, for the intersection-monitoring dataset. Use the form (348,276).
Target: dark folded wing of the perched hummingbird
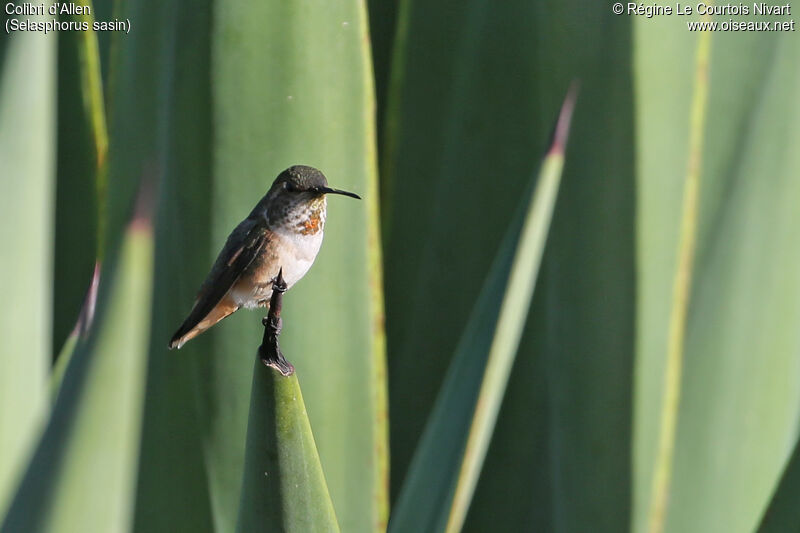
(243,245)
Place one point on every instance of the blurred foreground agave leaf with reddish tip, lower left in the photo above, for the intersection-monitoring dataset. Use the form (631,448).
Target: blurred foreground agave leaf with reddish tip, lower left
(83,475)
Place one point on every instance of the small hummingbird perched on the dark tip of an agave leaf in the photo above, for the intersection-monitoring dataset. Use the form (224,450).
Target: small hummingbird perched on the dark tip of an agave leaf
(282,232)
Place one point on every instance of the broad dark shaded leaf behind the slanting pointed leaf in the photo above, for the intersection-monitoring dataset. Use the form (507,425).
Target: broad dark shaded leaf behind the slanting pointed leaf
(470,107)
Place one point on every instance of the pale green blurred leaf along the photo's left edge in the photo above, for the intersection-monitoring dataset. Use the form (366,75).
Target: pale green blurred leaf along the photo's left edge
(27,152)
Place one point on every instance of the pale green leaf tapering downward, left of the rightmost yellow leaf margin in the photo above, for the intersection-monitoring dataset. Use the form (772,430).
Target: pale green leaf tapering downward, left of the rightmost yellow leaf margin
(662,162)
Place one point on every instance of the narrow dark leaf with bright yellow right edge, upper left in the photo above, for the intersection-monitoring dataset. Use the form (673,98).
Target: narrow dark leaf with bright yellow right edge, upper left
(82,147)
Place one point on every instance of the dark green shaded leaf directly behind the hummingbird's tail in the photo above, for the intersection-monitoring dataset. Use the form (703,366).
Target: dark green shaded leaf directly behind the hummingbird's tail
(161,126)
